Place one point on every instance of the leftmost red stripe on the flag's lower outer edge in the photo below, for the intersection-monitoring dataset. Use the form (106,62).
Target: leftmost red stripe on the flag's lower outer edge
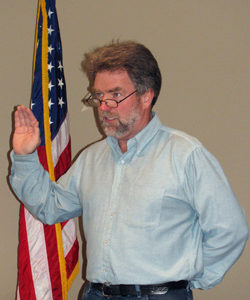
(25,280)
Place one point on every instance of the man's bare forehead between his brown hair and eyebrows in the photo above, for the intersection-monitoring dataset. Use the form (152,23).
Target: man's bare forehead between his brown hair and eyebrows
(110,80)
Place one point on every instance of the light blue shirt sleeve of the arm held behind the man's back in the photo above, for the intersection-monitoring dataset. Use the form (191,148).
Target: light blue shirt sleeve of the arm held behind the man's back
(221,218)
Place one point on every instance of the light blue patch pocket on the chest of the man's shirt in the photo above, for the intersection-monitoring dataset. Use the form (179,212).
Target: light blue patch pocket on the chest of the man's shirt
(143,207)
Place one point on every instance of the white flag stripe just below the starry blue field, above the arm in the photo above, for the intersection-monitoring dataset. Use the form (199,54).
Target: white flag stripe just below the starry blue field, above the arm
(61,140)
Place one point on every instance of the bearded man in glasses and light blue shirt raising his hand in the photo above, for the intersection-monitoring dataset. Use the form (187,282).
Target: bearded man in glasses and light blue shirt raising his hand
(158,213)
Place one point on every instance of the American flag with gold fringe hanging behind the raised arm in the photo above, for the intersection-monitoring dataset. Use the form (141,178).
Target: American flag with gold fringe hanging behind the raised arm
(48,255)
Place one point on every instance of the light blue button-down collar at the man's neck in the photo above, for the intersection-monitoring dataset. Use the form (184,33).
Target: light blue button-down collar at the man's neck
(140,140)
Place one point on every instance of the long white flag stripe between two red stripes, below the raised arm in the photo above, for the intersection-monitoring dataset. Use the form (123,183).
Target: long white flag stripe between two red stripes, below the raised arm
(38,257)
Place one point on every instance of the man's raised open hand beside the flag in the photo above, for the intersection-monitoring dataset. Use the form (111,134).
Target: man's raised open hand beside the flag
(26,137)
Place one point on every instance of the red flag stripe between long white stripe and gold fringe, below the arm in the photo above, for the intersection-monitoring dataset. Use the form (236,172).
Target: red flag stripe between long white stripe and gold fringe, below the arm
(53,260)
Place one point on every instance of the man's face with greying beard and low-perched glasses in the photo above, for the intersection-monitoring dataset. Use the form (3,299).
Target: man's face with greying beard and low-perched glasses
(131,115)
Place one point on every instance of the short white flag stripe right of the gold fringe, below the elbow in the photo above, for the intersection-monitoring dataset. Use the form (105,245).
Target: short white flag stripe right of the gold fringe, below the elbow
(68,236)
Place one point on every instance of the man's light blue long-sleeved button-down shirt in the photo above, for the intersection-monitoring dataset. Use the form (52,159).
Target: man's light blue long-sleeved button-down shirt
(162,211)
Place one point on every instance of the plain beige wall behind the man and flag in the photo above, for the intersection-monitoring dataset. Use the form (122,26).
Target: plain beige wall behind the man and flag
(202,50)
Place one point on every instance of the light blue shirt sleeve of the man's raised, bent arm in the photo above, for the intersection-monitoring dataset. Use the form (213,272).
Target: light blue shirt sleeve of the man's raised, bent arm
(48,201)
